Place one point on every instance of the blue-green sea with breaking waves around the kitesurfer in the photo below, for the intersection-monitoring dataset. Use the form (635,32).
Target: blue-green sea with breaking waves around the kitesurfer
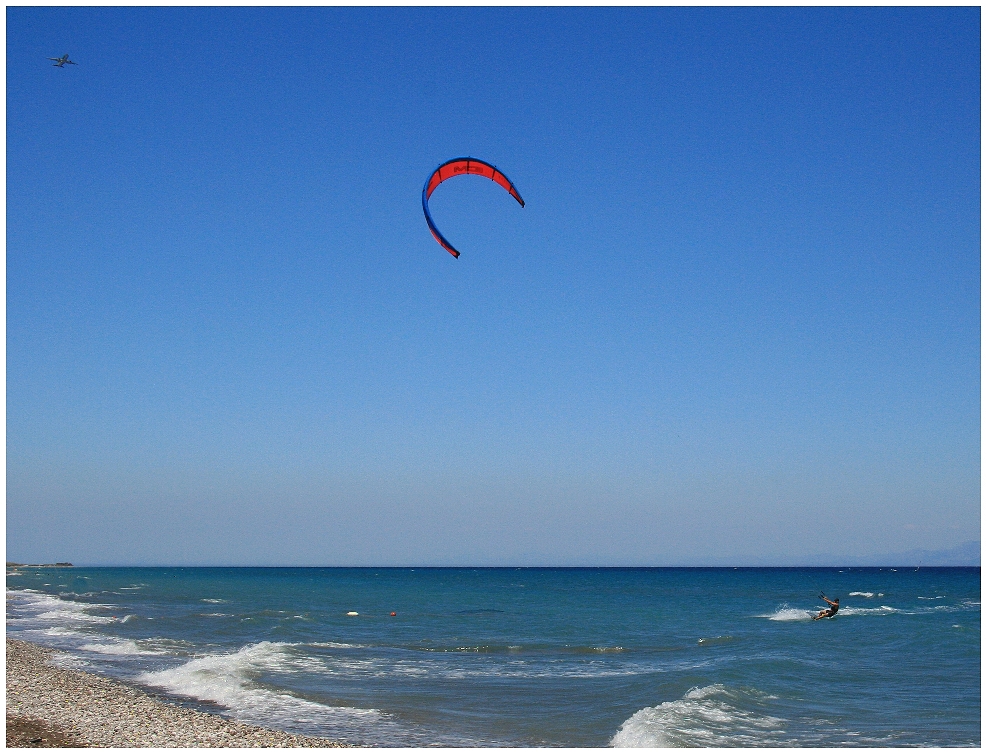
(534,657)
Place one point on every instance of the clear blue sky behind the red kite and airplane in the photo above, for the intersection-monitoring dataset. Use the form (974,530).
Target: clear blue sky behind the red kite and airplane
(738,319)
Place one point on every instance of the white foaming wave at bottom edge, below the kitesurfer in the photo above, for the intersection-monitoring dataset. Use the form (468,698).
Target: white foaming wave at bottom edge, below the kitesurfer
(709,716)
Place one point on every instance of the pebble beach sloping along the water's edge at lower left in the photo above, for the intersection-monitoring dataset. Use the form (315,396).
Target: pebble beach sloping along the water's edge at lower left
(49,706)
